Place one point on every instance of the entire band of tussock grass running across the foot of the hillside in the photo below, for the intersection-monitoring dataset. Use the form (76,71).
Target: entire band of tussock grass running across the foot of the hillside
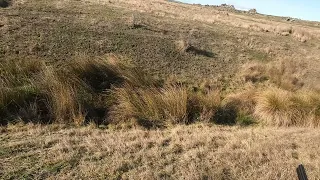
(106,91)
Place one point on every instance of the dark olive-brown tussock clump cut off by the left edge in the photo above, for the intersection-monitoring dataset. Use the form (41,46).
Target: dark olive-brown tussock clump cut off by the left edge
(18,89)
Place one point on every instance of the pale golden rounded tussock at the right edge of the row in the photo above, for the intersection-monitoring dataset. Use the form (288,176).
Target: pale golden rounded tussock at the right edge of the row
(283,108)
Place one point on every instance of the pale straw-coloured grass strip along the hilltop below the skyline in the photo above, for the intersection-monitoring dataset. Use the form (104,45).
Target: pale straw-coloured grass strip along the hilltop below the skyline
(302,32)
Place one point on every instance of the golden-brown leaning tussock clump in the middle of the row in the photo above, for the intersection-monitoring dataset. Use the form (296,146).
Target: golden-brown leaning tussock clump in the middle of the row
(151,107)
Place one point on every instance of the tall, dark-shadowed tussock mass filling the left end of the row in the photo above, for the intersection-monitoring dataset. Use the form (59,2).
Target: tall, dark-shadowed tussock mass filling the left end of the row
(32,91)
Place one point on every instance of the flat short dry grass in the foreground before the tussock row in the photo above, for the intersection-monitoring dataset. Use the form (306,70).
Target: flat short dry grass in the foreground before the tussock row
(184,152)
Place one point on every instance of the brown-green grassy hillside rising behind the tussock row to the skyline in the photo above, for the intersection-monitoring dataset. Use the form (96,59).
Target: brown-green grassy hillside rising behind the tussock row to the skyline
(191,42)
